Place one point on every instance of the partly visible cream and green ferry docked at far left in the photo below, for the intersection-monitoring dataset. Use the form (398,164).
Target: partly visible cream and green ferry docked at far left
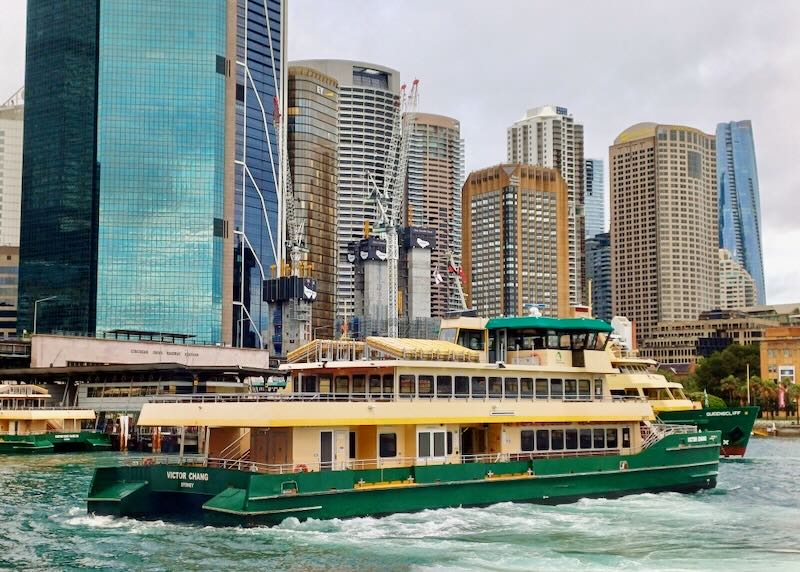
(29,424)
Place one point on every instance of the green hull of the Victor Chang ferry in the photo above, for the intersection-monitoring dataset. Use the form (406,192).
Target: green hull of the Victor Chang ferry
(684,463)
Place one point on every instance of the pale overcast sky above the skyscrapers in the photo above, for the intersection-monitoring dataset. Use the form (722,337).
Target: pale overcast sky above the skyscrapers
(611,63)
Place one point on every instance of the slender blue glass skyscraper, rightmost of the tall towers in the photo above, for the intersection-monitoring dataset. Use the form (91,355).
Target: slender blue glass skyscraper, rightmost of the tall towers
(739,203)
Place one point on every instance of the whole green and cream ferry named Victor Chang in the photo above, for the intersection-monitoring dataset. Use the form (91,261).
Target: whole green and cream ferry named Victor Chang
(400,425)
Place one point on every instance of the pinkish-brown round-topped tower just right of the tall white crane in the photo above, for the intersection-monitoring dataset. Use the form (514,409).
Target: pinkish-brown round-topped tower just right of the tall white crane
(433,186)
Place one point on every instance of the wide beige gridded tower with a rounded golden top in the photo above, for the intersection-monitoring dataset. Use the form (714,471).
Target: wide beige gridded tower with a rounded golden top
(664,254)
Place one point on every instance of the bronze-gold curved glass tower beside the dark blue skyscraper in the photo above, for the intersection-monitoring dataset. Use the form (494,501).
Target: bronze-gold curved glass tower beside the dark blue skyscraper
(312,116)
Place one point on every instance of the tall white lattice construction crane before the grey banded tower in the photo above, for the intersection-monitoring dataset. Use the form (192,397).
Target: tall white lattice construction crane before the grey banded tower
(389,198)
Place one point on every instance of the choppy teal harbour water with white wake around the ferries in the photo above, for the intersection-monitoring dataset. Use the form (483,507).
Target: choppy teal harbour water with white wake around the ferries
(750,522)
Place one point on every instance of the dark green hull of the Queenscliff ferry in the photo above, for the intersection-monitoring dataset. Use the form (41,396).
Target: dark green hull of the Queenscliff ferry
(735,424)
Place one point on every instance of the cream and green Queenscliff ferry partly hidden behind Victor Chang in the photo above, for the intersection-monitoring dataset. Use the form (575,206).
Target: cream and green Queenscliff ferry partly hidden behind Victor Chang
(637,377)
